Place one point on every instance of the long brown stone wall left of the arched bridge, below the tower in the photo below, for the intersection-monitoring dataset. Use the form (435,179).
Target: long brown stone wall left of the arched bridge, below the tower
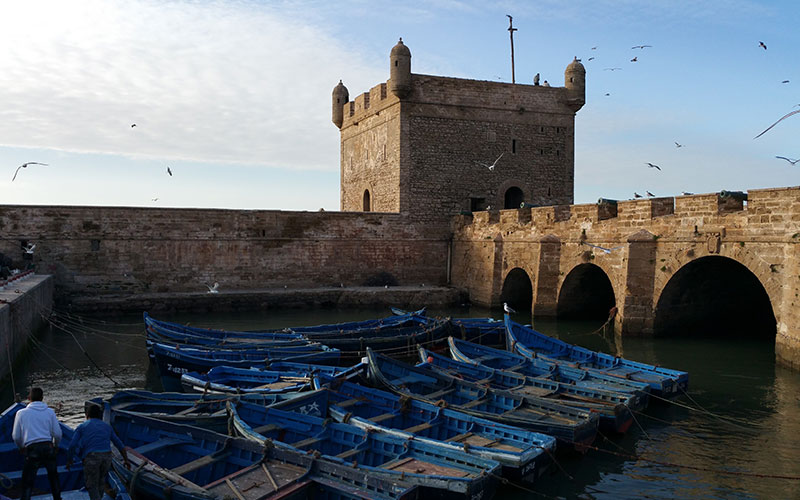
(114,250)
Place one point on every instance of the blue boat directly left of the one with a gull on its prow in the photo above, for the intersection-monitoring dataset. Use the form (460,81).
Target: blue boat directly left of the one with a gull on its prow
(468,352)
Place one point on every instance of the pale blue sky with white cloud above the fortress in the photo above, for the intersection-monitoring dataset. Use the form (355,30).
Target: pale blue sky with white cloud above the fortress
(235,96)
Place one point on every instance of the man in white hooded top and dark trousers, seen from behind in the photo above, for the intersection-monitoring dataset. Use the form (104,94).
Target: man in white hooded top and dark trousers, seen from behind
(36,434)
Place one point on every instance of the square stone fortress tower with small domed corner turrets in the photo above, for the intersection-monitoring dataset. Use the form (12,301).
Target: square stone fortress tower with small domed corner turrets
(421,144)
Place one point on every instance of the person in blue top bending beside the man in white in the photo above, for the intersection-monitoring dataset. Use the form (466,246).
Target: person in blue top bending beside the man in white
(92,442)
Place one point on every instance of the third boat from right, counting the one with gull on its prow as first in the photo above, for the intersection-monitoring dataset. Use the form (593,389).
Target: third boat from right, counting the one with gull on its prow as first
(614,410)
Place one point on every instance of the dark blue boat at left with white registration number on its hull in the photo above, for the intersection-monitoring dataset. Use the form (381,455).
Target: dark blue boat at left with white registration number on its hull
(174,361)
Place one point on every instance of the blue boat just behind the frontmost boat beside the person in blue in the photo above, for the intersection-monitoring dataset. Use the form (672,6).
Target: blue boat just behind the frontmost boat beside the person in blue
(445,472)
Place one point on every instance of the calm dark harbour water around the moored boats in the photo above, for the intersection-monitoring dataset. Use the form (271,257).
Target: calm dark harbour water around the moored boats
(737,429)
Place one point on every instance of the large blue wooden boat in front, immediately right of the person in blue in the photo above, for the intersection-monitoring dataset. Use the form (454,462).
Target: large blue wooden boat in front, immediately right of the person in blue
(179,462)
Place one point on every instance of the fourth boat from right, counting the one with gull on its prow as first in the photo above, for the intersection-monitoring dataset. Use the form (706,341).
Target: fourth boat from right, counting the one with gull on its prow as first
(574,428)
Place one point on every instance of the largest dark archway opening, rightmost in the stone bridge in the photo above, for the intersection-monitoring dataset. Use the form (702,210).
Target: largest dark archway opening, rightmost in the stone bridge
(714,297)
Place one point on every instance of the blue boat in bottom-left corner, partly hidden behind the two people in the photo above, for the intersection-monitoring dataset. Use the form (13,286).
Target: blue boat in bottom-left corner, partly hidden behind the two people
(71,479)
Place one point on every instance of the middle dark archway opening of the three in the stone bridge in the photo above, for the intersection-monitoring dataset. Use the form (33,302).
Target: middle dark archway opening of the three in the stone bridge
(586,294)
